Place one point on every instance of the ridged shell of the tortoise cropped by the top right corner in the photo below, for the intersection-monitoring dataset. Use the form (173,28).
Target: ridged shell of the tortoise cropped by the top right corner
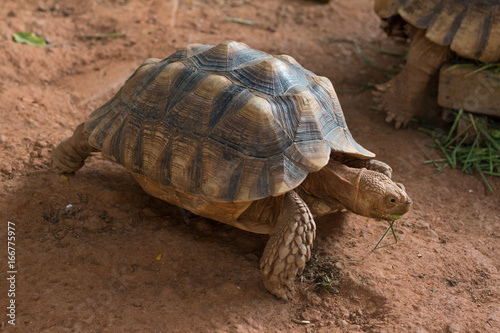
(470,27)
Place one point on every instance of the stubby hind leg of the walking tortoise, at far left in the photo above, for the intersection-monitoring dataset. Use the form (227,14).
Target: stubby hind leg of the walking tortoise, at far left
(70,154)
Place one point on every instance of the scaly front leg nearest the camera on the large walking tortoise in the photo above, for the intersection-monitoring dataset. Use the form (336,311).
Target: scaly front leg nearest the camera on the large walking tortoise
(289,247)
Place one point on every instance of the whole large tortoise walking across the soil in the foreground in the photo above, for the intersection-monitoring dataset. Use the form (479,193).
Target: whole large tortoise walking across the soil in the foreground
(242,137)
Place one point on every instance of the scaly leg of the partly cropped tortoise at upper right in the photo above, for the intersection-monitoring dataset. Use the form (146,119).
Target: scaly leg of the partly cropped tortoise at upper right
(402,96)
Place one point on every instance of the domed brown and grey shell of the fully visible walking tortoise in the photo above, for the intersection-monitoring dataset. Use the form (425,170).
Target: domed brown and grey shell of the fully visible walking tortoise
(223,122)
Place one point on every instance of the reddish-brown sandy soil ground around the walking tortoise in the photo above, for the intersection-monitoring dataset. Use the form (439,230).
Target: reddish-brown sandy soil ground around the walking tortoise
(88,246)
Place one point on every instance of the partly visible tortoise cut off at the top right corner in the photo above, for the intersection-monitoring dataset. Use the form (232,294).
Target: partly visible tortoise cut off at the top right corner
(469,28)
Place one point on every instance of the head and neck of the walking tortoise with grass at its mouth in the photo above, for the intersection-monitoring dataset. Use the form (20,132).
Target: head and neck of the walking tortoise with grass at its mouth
(365,192)
